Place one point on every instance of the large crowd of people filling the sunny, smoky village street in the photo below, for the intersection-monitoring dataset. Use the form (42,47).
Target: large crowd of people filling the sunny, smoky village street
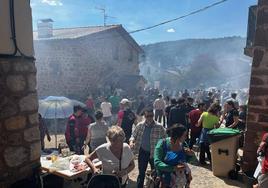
(159,129)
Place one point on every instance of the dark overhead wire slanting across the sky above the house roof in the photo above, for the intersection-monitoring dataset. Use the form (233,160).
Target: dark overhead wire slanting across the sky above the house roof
(186,15)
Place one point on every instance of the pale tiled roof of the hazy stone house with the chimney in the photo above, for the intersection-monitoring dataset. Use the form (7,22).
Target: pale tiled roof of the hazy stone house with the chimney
(71,33)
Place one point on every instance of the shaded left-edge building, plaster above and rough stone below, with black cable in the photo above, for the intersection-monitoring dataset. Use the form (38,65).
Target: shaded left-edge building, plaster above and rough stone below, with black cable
(19,131)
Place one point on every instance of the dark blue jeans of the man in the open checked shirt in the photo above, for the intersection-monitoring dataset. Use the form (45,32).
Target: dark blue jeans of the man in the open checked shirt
(143,160)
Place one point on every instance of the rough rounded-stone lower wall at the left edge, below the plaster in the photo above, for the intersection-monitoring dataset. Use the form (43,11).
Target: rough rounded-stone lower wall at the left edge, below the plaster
(19,130)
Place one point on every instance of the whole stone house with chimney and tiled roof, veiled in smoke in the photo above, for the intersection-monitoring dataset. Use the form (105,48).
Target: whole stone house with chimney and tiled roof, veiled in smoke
(74,62)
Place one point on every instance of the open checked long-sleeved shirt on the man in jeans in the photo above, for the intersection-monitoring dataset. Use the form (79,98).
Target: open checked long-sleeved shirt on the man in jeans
(157,132)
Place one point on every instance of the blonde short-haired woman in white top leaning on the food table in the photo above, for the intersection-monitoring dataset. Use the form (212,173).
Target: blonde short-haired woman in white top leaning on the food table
(116,156)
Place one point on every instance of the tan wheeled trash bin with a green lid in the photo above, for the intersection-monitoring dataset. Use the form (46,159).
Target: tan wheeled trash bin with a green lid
(224,145)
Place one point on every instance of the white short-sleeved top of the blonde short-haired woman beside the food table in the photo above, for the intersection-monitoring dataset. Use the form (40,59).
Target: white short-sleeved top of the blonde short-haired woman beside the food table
(110,162)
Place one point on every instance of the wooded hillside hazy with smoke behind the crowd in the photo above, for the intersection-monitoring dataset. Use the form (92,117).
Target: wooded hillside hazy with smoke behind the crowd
(189,63)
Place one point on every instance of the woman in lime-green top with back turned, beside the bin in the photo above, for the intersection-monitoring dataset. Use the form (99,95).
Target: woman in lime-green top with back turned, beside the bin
(209,120)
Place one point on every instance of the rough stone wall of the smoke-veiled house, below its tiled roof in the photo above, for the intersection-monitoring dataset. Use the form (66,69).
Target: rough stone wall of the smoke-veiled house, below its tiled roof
(77,67)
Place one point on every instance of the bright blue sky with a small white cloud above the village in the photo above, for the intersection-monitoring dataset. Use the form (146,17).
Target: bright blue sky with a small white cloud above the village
(226,19)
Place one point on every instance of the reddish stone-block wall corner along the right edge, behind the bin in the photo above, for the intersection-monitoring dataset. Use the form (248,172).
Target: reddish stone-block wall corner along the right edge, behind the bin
(257,119)
